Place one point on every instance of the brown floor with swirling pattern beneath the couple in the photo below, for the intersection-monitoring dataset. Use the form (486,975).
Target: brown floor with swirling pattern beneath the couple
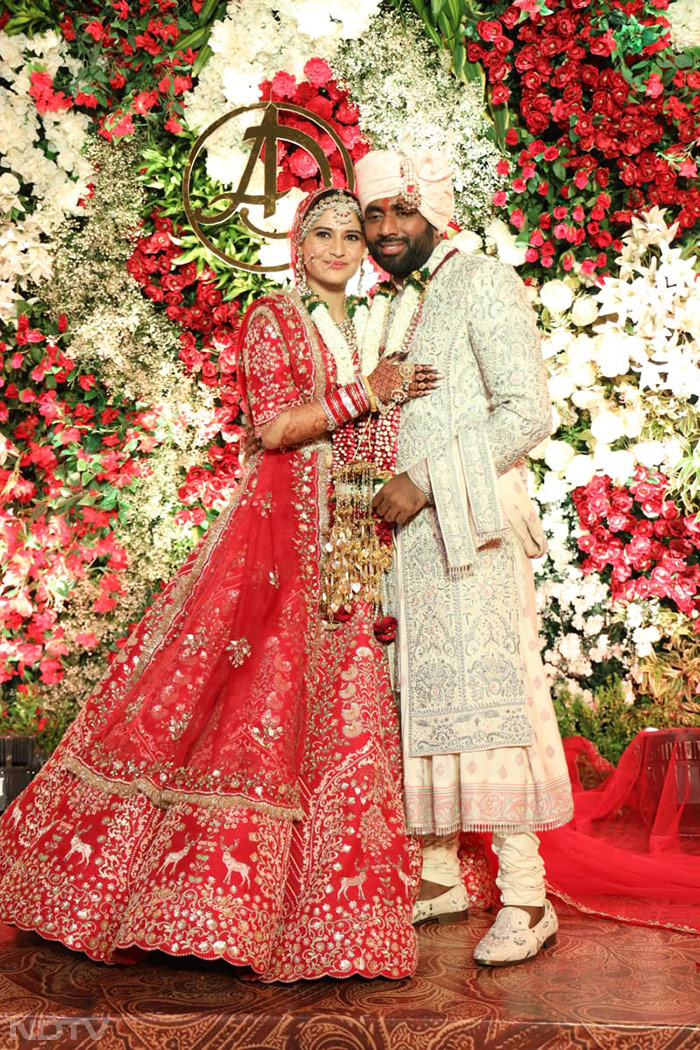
(604,985)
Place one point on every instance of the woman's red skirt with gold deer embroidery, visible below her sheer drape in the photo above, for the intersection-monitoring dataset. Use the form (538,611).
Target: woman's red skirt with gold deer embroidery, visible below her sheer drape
(327,896)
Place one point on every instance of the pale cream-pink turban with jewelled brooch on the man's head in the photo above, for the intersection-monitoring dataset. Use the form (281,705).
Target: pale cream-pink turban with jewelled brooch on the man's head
(421,180)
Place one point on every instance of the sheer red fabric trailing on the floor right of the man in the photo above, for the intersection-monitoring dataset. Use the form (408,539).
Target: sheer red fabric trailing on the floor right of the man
(632,852)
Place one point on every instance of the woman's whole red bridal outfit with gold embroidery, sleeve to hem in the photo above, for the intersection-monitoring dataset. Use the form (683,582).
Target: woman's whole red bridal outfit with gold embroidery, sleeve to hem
(234,789)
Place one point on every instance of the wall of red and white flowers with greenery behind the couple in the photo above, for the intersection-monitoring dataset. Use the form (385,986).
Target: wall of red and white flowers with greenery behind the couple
(574,128)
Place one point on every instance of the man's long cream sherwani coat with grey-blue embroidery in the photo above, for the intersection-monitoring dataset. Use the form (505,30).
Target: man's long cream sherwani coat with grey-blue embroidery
(482,749)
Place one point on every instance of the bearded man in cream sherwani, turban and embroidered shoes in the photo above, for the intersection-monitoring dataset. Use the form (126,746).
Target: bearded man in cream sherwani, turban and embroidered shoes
(482,751)
